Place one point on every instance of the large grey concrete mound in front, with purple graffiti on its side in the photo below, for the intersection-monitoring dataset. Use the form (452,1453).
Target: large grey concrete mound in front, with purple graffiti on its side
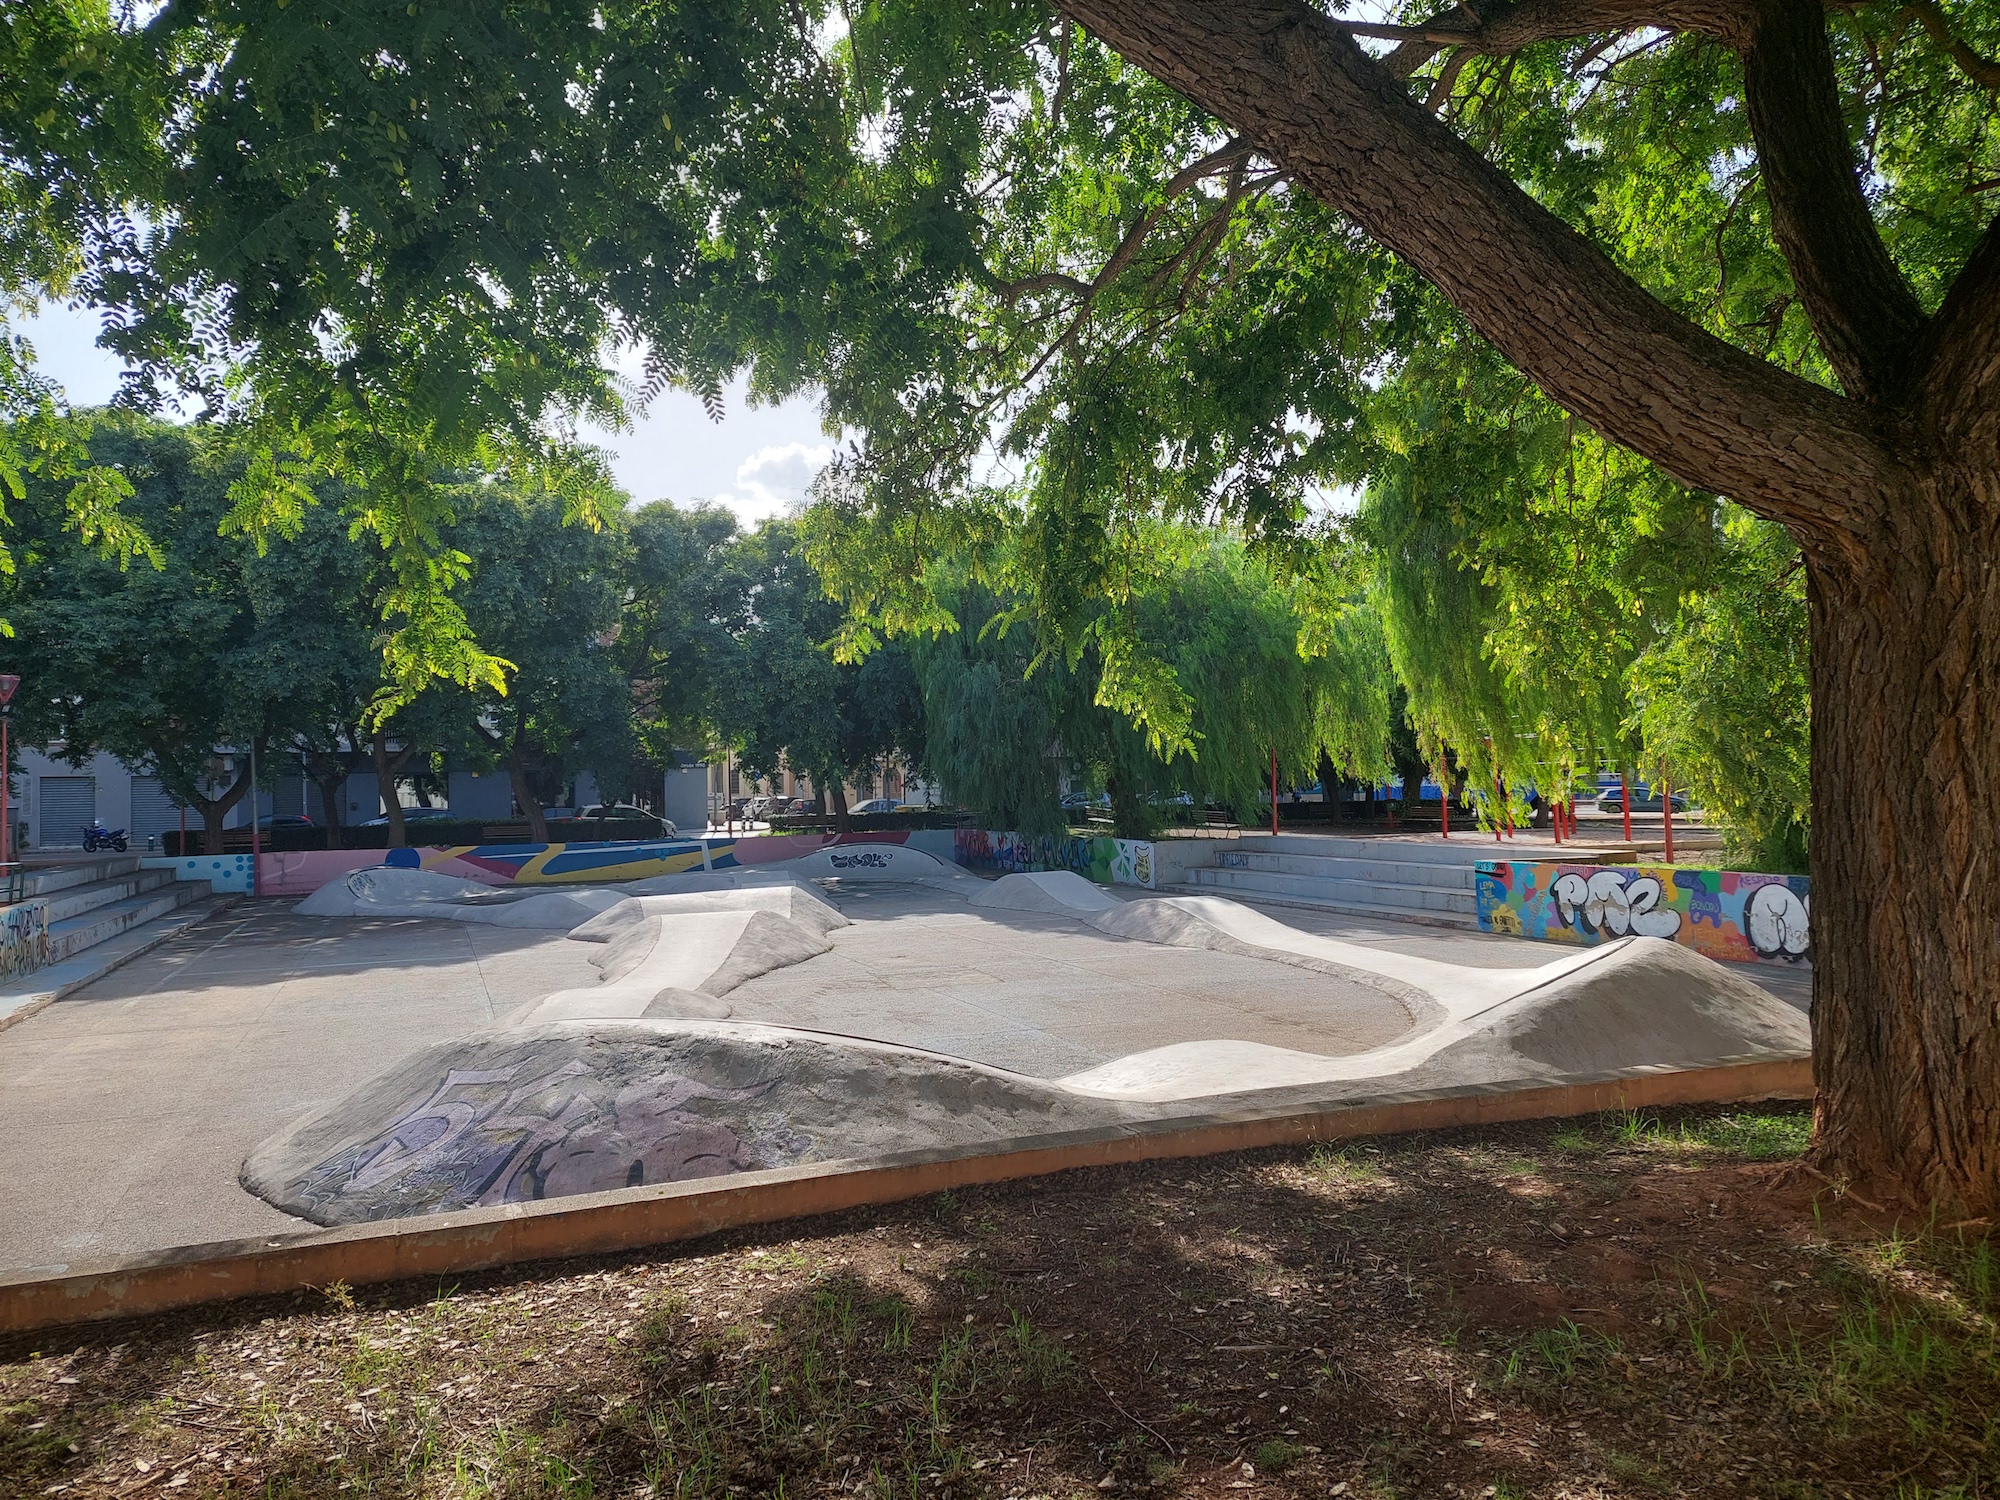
(561,1111)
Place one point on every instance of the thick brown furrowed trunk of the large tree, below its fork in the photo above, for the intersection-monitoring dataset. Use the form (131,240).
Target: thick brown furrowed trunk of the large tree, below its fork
(1907,855)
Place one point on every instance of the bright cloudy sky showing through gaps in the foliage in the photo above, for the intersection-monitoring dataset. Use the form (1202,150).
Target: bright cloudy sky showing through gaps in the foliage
(757,461)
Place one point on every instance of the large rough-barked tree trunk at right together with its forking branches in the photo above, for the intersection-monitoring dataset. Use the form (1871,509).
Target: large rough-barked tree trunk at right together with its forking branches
(1887,473)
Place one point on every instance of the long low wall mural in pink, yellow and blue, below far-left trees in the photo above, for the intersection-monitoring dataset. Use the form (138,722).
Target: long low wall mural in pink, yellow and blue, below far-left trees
(299,873)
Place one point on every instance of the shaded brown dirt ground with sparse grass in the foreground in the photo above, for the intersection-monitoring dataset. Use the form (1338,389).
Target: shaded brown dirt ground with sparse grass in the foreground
(1619,1307)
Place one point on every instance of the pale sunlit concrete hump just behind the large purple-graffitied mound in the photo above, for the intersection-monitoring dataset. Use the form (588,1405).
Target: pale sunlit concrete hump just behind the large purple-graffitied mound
(707,953)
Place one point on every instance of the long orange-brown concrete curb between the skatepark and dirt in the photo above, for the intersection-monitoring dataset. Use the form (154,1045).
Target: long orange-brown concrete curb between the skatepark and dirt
(631,1219)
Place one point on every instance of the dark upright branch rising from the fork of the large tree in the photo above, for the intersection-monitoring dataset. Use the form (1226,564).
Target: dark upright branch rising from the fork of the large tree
(1861,307)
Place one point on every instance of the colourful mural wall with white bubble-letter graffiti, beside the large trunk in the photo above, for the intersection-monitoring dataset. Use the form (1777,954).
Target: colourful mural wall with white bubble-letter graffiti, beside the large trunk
(1741,919)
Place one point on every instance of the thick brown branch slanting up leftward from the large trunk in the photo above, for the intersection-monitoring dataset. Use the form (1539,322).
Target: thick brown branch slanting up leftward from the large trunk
(1547,299)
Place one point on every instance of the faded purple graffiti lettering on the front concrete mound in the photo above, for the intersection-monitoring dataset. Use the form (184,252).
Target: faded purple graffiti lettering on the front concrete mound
(491,1137)
